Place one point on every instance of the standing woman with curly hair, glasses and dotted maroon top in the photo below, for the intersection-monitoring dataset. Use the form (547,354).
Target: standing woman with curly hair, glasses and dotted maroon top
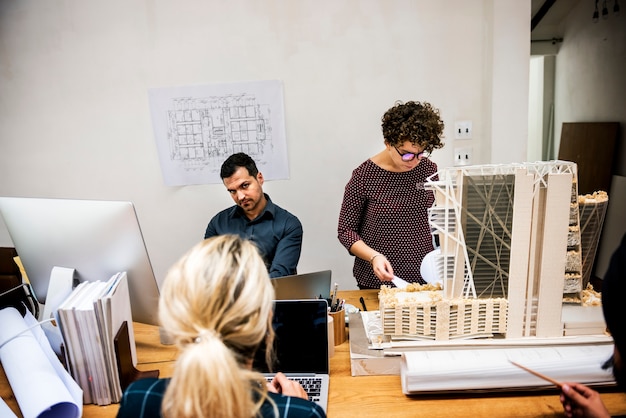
(383,220)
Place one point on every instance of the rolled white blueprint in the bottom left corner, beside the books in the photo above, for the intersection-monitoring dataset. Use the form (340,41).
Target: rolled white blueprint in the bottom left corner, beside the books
(42,387)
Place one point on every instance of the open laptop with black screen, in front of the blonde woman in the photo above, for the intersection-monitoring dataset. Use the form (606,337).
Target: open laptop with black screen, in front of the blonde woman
(301,346)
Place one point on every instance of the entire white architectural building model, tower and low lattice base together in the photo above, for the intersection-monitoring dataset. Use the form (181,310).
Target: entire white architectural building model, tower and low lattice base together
(509,255)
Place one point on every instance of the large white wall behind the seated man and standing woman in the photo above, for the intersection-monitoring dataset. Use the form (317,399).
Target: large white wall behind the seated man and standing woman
(75,122)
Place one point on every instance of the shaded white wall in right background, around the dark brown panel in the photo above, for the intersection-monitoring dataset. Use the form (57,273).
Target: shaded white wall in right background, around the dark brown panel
(591,87)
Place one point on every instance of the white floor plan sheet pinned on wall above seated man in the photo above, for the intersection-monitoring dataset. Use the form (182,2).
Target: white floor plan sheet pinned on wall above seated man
(197,127)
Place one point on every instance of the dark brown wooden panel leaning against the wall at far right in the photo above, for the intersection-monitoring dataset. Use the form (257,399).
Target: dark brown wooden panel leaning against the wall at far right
(591,145)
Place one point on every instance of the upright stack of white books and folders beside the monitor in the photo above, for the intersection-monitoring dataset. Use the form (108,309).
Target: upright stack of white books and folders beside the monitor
(90,319)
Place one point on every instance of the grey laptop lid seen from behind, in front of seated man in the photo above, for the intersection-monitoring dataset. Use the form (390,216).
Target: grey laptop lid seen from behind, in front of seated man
(314,285)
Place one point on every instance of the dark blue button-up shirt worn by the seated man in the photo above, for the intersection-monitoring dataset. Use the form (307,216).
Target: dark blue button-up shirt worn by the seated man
(276,232)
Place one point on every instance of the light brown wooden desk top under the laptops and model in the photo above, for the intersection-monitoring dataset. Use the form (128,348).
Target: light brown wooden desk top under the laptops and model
(365,396)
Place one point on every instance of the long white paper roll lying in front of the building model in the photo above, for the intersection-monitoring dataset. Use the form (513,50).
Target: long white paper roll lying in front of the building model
(431,371)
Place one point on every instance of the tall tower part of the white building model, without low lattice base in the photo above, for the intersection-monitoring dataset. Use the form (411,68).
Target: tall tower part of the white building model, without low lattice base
(503,231)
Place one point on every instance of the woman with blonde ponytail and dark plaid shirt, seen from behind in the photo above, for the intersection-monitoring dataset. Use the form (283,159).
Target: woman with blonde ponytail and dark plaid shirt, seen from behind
(216,302)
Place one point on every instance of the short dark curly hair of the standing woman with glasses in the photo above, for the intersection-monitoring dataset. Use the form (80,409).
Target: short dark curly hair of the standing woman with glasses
(418,123)
